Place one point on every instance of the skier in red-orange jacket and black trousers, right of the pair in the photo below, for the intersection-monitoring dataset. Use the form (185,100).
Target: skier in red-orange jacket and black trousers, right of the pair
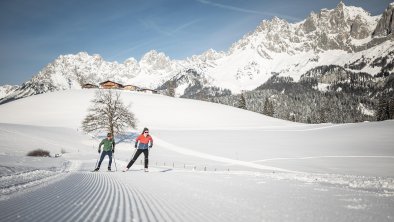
(142,144)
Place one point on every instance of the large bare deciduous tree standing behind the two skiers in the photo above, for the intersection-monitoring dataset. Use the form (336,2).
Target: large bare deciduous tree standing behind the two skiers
(108,113)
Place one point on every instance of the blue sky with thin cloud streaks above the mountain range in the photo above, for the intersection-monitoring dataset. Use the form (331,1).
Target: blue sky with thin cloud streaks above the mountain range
(35,32)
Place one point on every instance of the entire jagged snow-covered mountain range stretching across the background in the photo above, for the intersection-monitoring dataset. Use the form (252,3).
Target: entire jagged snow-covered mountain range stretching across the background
(339,36)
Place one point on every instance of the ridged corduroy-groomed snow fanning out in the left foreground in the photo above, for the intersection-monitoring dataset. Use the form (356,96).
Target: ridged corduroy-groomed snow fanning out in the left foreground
(95,196)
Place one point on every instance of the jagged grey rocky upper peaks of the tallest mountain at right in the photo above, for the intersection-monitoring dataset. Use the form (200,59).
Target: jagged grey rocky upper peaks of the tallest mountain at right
(329,29)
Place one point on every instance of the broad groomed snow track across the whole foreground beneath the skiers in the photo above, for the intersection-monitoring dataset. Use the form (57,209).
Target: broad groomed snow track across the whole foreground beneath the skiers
(167,194)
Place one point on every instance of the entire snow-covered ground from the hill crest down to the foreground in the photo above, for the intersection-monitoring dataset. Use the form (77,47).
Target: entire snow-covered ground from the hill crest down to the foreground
(209,163)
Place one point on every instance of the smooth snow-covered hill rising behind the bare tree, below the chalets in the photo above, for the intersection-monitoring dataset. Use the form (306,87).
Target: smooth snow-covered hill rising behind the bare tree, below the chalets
(68,108)
